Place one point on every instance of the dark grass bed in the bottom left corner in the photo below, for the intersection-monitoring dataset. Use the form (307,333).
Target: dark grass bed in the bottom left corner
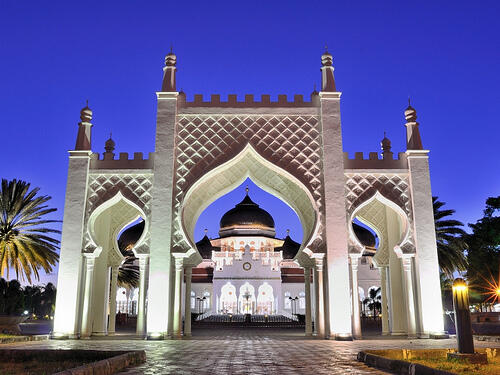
(36,367)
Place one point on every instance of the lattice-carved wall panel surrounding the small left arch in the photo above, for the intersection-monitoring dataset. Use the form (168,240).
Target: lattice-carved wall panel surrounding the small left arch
(136,187)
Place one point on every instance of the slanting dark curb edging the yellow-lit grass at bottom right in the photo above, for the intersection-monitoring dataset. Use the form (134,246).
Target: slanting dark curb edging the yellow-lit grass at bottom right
(397,366)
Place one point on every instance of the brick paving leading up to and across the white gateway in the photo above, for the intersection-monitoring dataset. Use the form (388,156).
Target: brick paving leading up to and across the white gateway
(225,351)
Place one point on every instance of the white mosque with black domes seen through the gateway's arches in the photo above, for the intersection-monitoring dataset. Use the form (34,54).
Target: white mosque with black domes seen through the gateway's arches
(247,270)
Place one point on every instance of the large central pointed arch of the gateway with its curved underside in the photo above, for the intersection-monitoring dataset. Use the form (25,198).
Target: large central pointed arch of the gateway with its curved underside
(269,177)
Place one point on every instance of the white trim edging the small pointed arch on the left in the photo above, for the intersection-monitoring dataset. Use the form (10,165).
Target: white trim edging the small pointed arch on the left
(116,199)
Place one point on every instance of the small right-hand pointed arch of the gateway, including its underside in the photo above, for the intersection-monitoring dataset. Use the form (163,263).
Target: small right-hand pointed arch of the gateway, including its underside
(372,213)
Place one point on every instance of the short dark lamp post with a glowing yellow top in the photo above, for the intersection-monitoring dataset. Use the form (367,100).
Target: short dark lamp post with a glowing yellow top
(463,325)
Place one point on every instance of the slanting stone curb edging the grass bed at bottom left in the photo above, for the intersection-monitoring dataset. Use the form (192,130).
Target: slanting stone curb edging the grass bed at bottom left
(108,366)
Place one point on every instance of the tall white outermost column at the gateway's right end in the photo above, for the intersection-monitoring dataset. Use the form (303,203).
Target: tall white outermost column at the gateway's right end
(427,268)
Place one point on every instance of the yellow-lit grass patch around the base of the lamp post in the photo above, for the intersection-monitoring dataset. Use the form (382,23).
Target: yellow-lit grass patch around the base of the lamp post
(436,358)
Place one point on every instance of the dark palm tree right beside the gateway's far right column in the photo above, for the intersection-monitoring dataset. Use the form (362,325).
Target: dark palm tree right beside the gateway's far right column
(450,240)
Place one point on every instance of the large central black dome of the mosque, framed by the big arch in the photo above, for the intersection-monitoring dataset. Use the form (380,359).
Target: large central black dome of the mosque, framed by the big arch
(246,214)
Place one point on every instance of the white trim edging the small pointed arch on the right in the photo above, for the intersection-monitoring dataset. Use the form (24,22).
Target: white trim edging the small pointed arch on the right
(403,219)
